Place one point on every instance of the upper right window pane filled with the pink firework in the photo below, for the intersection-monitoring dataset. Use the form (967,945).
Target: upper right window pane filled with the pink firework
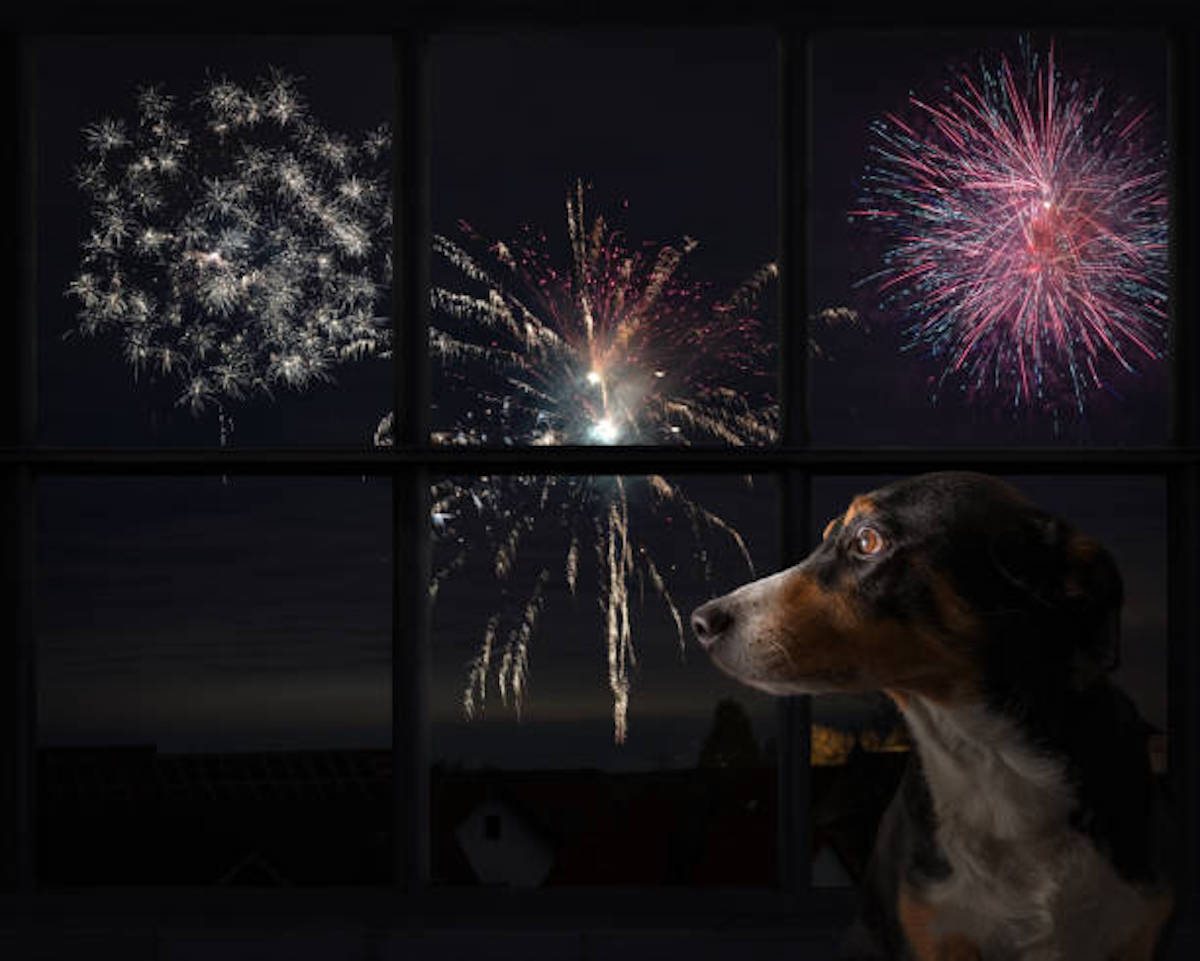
(988,239)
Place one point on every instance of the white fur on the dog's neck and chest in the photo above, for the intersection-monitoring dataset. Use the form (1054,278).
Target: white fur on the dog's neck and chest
(1025,886)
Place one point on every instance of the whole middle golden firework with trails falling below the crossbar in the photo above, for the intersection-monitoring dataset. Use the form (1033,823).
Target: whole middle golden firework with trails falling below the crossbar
(619,349)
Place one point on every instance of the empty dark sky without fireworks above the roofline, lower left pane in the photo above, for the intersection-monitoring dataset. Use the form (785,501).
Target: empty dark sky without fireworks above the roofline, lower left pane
(203,615)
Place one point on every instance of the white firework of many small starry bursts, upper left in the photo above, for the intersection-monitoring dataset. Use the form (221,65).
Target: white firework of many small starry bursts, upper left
(236,244)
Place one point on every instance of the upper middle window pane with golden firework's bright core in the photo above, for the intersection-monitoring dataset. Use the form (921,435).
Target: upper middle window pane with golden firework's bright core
(643,314)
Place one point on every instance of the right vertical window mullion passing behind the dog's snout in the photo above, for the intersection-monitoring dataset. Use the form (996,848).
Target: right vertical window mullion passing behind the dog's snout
(796,713)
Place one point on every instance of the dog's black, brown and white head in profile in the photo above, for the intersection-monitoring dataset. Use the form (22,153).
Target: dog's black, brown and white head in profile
(944,586)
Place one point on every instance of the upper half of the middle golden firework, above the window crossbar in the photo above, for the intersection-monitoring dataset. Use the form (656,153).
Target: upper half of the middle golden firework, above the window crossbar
(615,347)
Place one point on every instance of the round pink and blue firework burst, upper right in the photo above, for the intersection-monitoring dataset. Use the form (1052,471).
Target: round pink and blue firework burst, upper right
(1028,217)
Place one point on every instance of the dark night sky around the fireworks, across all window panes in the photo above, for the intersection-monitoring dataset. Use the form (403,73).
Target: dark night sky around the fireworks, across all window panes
(255,614)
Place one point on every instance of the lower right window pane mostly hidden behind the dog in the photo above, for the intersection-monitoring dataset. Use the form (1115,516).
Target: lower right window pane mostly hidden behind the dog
(860,743)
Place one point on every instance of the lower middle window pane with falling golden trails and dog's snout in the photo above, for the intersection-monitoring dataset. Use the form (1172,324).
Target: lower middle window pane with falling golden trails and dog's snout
(580,736)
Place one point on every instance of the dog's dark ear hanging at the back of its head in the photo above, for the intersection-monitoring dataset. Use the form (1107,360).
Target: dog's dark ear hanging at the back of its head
(1093,594)
